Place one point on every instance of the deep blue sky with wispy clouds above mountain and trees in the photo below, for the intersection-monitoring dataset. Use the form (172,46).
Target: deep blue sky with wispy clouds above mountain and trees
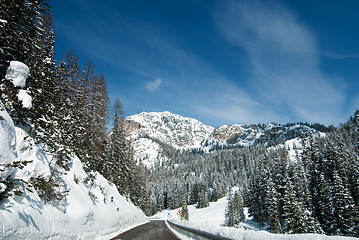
(221,61)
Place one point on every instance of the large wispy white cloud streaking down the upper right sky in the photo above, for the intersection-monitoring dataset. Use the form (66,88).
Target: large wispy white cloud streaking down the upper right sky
(284,59)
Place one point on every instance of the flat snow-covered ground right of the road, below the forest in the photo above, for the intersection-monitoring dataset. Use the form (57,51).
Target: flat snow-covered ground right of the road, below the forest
(211,220)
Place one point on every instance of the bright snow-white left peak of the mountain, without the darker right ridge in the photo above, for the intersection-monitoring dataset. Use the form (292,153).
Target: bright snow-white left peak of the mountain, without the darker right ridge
(148,130)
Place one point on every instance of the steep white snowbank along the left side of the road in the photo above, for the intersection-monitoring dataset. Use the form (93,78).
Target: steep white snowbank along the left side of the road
(91,210)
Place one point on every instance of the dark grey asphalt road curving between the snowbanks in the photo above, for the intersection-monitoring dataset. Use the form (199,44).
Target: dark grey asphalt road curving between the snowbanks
(154,230)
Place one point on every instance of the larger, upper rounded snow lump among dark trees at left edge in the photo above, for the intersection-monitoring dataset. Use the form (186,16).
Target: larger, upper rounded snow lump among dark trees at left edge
(17,73)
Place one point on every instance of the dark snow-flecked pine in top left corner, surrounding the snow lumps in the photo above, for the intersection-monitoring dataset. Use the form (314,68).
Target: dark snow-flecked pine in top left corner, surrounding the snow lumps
(20,28)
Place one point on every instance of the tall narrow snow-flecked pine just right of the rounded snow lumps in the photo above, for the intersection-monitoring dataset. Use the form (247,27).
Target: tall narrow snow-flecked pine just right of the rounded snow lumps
(46,87)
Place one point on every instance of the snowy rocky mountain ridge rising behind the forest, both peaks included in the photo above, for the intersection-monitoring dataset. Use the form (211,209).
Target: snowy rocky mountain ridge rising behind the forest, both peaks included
(148,131)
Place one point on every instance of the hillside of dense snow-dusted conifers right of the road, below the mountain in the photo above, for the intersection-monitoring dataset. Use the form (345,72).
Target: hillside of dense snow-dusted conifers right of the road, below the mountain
(302,186)
